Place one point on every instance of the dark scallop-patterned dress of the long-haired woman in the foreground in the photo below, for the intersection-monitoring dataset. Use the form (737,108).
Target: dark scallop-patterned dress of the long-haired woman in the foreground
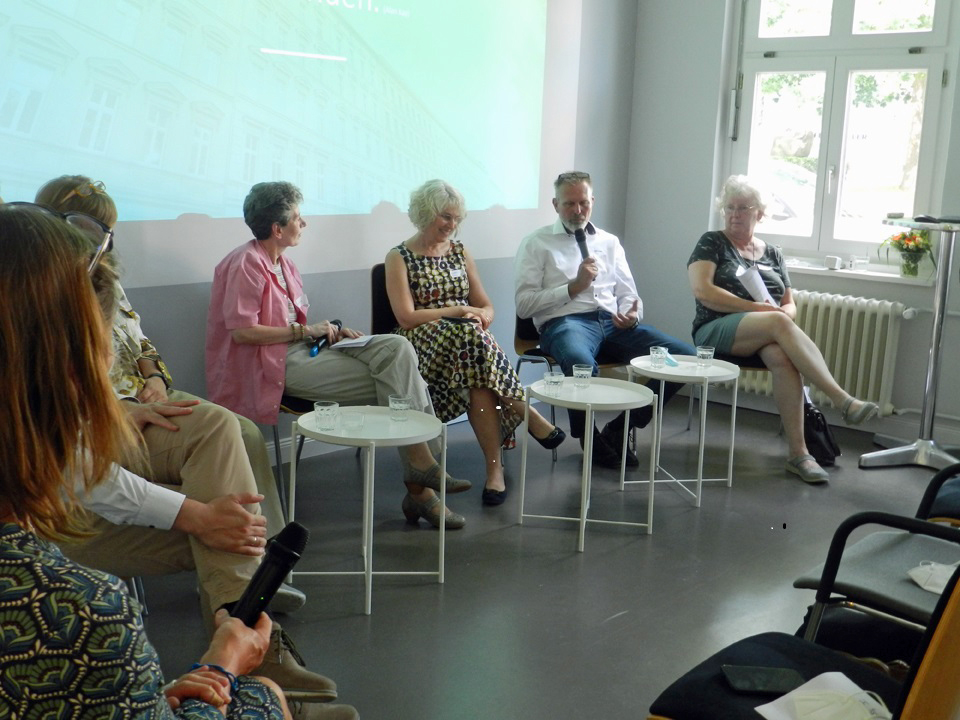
(72,645)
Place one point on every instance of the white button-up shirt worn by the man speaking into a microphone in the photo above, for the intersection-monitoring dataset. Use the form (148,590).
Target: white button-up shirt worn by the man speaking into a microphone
(549,258)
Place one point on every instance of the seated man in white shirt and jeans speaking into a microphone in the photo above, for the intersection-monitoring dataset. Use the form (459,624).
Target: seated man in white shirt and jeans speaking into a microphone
(587,310)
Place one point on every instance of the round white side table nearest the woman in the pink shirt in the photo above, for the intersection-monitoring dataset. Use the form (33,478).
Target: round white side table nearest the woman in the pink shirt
(378,430)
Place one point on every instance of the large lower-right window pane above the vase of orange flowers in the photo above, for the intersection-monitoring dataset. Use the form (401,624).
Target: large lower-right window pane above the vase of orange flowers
(884,118)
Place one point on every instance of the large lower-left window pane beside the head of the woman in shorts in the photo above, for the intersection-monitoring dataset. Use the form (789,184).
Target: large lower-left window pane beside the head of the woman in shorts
(785,147)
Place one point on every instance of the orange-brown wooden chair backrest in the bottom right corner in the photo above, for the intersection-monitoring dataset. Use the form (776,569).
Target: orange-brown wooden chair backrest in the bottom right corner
(934,689)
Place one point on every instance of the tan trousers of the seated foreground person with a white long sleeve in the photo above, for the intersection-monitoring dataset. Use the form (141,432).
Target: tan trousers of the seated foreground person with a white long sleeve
(205,459)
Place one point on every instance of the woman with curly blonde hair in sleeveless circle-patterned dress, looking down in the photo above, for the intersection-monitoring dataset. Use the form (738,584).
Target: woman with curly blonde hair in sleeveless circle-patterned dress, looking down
(443,310)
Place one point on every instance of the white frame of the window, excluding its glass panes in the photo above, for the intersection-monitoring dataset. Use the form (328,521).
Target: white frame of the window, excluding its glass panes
(837,55)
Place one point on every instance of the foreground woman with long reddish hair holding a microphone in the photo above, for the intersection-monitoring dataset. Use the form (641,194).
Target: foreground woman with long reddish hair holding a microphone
(63,620)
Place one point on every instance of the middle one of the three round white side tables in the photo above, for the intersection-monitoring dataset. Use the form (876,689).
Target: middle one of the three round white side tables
(600,395)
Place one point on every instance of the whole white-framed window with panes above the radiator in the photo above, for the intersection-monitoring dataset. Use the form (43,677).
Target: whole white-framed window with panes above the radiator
(838,116)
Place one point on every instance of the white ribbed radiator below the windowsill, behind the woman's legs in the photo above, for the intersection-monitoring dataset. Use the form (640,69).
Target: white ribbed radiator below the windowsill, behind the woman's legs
(858,338)
